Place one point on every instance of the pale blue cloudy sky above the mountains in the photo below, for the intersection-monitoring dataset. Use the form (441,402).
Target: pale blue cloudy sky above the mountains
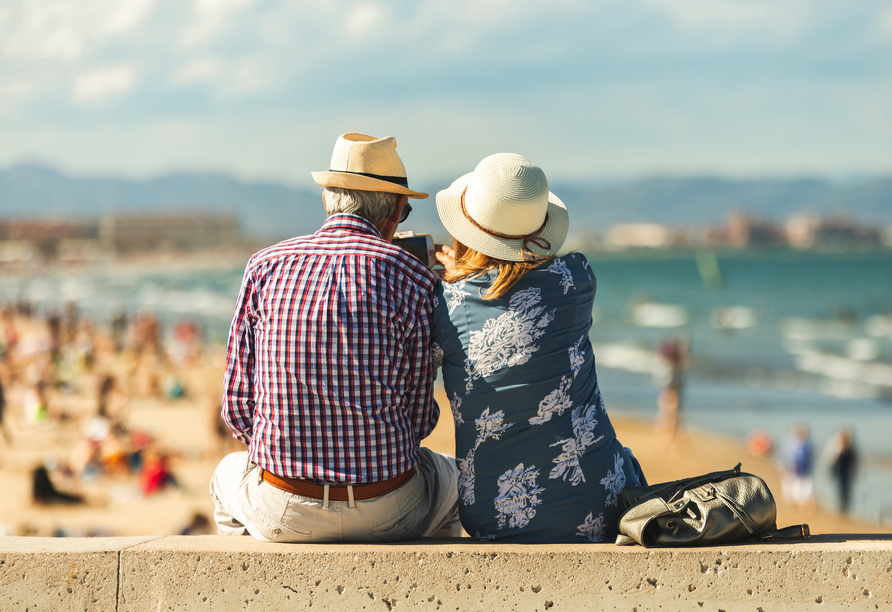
(587,89)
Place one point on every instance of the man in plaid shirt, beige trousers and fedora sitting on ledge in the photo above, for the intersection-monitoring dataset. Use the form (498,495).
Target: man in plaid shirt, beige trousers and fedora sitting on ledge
(329,378)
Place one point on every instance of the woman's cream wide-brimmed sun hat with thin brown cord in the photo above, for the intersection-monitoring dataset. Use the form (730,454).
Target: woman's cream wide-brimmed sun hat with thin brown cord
(504,209)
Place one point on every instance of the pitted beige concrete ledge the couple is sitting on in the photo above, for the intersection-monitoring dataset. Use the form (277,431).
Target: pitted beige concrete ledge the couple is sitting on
(845,572)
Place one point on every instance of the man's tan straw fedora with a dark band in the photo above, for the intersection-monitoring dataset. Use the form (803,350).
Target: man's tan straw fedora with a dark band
(367,163)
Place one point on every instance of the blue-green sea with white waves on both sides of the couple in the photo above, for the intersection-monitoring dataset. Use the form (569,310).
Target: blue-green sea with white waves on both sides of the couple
(777,338)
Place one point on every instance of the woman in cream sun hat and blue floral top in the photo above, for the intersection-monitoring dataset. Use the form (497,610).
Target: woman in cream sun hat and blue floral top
(538,458)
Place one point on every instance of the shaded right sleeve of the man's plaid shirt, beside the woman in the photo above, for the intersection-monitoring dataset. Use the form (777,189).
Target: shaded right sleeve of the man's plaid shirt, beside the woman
(424,409)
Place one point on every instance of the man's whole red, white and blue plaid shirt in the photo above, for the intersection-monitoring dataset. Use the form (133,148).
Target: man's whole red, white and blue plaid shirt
(329,370)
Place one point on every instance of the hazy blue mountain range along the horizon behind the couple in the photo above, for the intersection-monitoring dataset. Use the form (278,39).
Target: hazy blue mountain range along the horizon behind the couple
(273,211)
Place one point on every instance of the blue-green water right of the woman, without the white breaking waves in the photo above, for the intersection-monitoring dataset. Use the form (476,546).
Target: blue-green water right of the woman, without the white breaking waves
(741,380)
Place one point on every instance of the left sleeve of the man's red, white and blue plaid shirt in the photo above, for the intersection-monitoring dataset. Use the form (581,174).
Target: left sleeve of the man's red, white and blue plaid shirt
(238,381)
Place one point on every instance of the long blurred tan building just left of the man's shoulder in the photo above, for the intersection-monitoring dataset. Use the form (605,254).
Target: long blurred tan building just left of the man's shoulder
(124,235)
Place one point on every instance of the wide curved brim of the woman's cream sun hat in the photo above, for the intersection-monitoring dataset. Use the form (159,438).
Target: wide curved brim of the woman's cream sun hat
(449,207)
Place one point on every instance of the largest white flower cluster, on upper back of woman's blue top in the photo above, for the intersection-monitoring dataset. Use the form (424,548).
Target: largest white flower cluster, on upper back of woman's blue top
(508,340)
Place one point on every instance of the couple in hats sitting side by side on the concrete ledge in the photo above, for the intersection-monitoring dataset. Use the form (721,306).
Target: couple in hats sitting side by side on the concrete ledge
(334,348)
